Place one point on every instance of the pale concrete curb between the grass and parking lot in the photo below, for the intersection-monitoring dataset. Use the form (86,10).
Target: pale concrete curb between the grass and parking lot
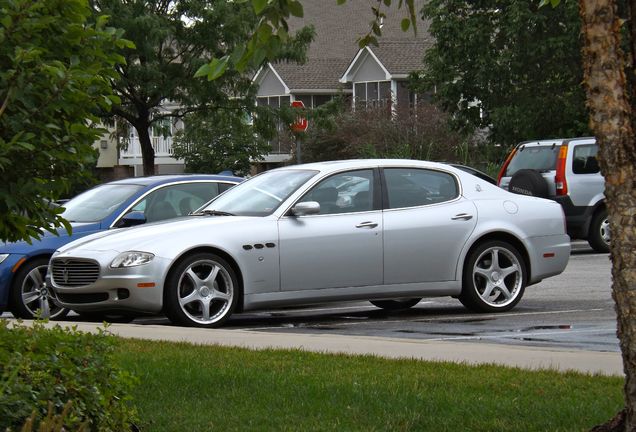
(534,358)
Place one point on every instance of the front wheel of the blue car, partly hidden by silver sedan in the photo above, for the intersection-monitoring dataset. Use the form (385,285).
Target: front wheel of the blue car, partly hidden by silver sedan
(30,297)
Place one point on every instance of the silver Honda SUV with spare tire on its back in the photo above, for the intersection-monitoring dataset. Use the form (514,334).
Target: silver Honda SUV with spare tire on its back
(565,170)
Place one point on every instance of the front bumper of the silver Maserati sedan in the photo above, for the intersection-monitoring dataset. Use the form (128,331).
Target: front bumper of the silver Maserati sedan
(136,289)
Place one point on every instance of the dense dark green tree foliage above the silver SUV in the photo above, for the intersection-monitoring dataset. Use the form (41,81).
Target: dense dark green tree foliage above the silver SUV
(507,65)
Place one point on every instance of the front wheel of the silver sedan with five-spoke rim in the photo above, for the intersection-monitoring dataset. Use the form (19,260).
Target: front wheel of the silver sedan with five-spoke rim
(191,300)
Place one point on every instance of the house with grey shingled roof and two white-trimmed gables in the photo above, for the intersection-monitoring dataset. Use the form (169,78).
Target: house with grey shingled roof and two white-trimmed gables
(369,76)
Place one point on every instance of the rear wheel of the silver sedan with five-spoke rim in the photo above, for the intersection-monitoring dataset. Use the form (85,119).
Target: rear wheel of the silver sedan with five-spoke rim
(494,278)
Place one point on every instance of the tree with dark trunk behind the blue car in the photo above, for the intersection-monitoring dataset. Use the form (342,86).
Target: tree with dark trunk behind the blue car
(174,39)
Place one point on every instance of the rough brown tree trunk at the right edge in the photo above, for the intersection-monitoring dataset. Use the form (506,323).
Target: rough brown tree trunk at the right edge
(611,116)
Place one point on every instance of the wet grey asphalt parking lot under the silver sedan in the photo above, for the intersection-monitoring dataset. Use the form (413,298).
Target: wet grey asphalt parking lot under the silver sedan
(571,311)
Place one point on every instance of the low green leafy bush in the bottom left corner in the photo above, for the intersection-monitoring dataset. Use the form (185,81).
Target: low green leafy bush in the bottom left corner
(45,368)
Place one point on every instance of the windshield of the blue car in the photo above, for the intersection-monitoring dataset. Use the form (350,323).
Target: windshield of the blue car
(97,203)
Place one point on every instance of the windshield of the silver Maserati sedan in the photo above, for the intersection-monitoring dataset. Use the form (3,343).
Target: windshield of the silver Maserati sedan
(260,195)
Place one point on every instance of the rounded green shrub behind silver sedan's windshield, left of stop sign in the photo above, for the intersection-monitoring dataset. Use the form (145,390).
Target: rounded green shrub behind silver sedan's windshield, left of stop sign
(218,141)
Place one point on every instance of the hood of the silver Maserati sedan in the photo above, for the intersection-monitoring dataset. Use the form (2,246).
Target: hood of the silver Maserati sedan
(147,237)
